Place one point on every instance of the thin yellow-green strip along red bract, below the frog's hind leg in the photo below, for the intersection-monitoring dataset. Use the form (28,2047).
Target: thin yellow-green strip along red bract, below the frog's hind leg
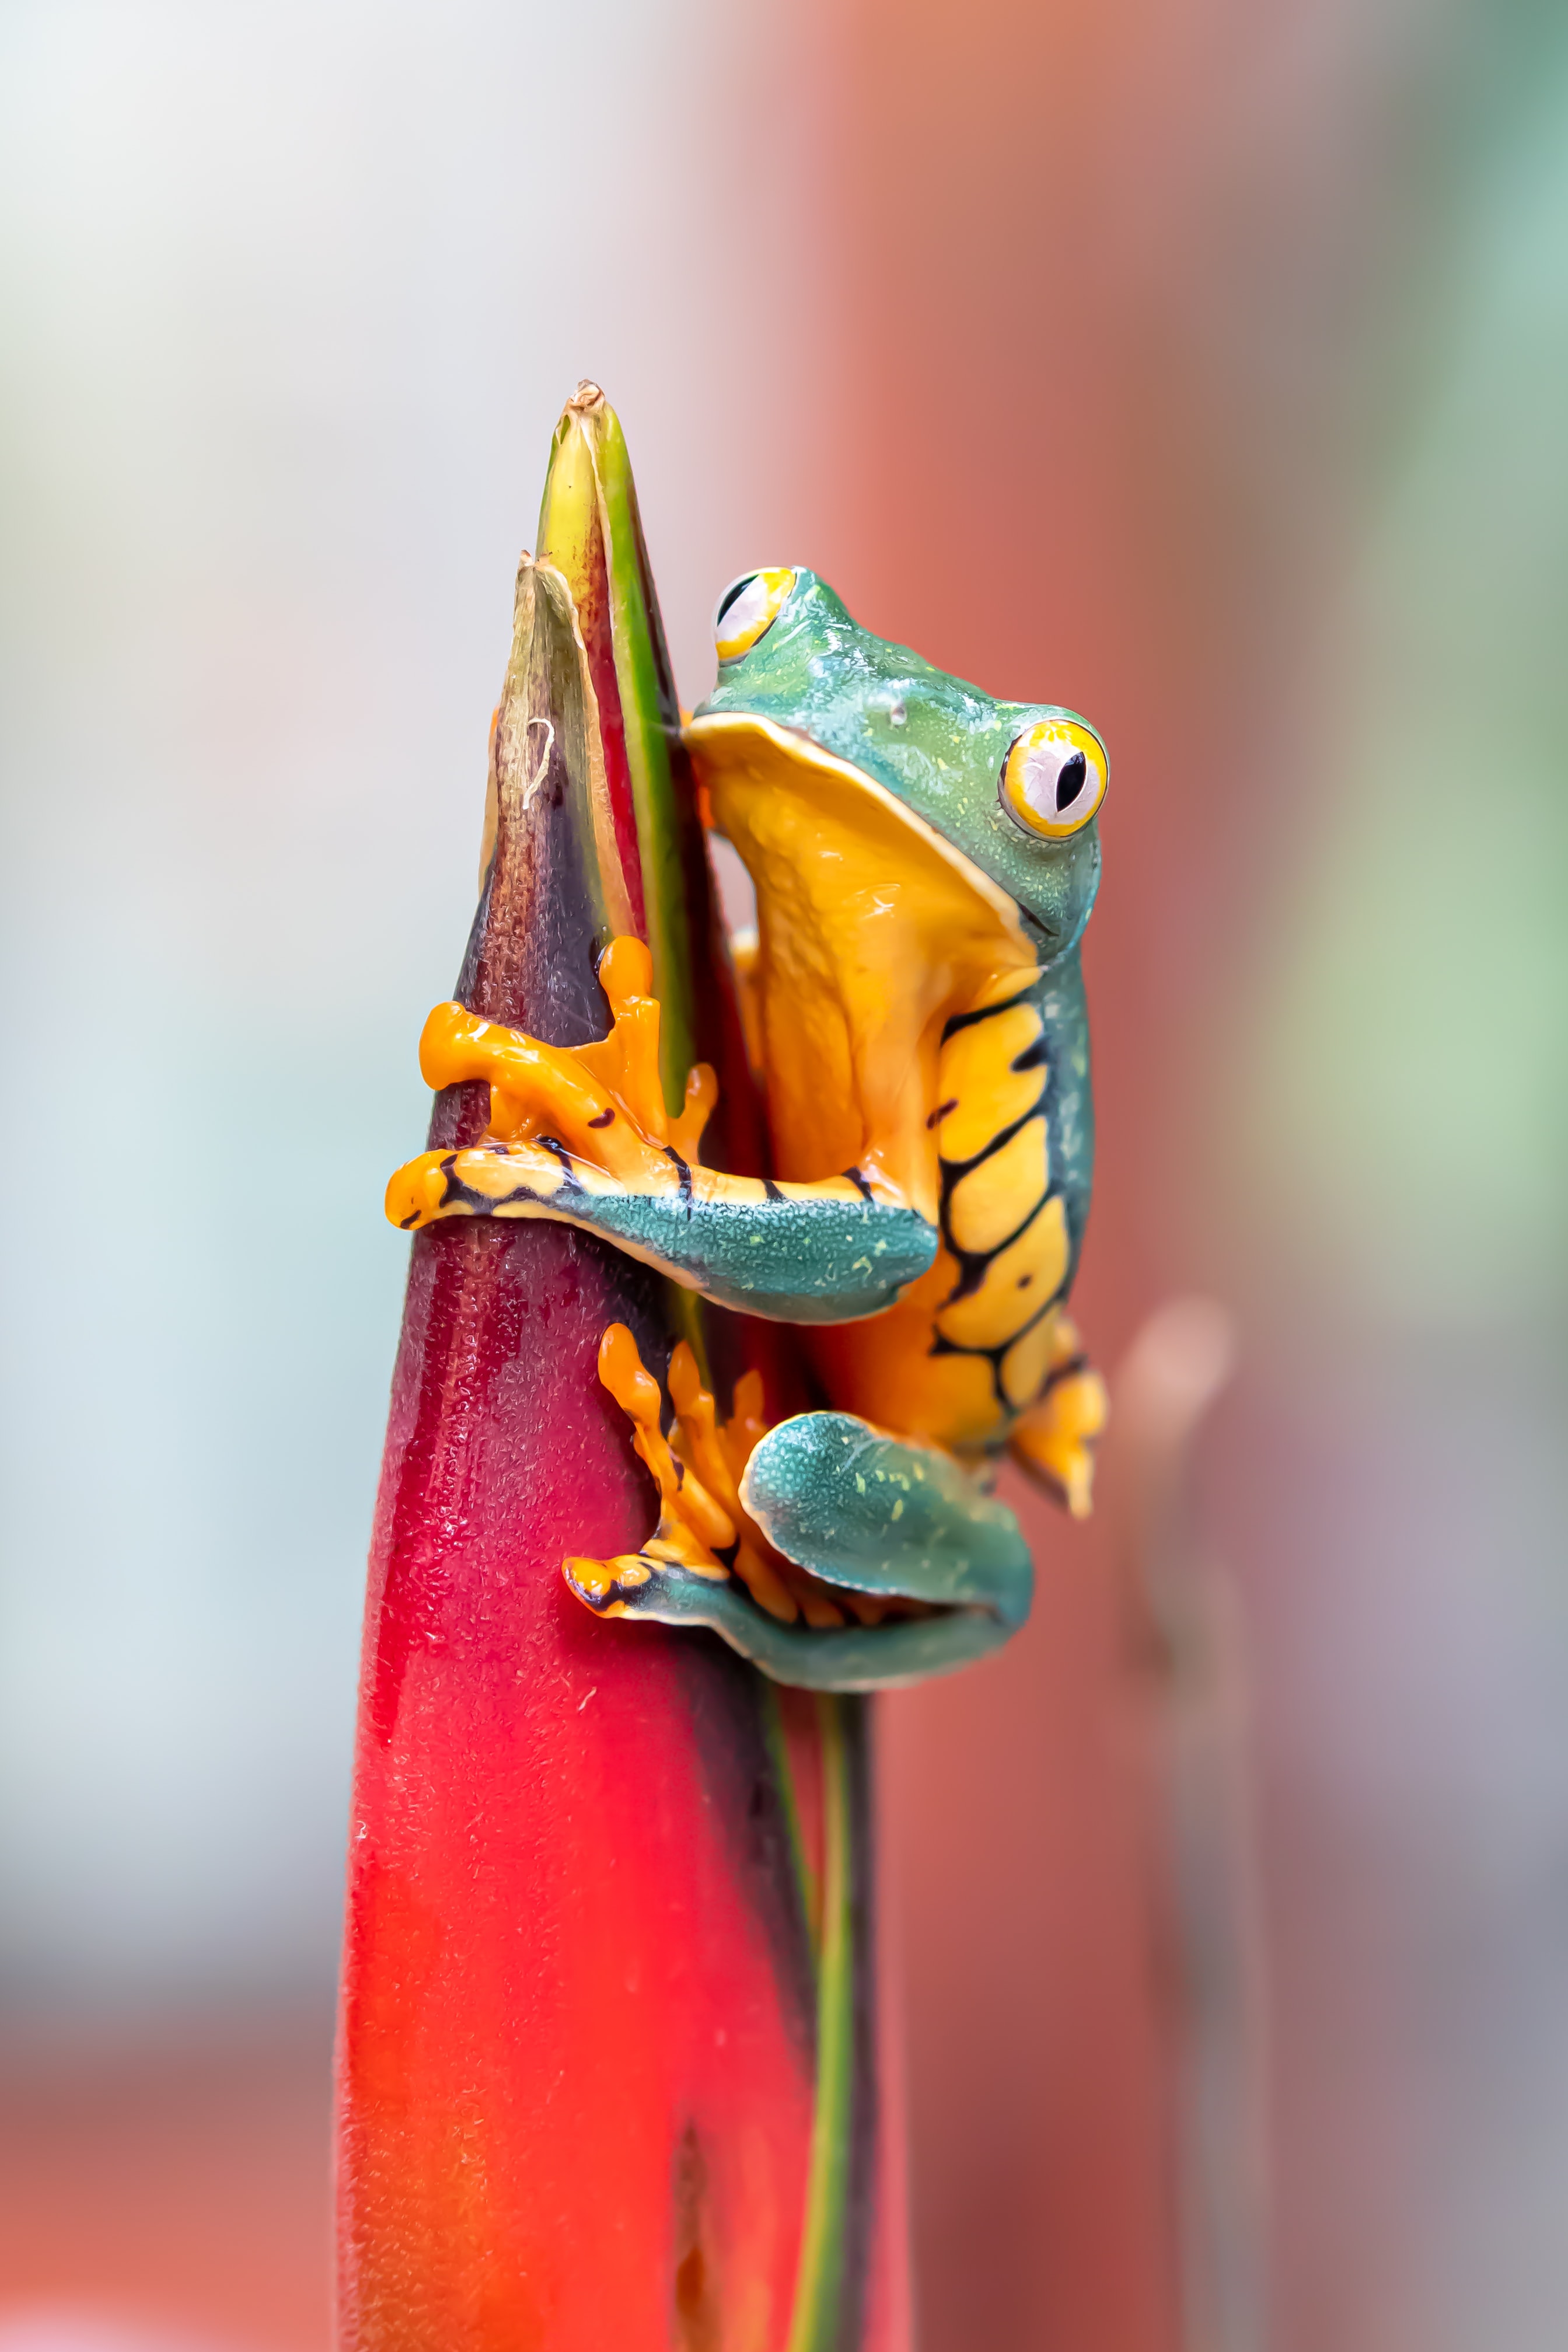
(815,2325)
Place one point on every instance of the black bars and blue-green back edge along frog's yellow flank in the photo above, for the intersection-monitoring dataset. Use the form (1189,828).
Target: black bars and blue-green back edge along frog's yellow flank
(1064,1107)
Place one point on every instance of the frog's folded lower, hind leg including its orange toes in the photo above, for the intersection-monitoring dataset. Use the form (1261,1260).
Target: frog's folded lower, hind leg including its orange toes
(826,1553)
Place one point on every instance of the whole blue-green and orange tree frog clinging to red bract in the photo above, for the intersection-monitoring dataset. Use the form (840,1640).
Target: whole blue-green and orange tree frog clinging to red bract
(925,862)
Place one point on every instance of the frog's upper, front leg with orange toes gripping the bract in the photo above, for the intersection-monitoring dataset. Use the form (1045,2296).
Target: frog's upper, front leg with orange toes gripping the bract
(582,1135)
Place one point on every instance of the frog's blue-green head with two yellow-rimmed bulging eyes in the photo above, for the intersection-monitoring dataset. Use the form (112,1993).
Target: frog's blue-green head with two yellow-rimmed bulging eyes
(1012,787)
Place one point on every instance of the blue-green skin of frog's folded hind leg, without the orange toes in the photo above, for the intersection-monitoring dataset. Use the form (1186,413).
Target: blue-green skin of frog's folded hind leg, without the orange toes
(869,1516)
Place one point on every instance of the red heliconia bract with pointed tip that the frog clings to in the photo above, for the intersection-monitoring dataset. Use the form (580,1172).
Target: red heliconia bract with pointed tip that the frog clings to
(608,2064)
